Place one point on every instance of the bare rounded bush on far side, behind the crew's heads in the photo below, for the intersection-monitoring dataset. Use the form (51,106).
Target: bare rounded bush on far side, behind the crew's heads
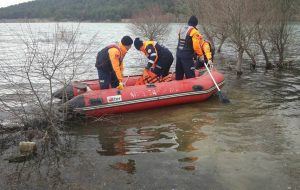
(151,24)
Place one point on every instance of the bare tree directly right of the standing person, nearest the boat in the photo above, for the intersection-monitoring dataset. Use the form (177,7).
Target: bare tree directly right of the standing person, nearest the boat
(224,20)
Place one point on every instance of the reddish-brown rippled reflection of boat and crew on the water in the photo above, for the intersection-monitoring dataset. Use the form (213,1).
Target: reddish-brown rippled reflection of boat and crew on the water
(138,135)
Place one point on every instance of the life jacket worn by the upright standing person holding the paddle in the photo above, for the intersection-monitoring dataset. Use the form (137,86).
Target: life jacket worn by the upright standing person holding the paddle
(185,41)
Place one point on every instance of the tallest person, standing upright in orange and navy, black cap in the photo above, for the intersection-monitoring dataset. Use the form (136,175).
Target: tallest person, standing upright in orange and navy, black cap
(189,40)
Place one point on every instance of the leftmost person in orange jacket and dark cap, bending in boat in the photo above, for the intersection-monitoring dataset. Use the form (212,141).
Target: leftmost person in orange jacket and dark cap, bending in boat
(109,64)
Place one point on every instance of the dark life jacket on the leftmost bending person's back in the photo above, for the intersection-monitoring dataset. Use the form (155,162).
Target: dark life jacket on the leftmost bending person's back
(103,61)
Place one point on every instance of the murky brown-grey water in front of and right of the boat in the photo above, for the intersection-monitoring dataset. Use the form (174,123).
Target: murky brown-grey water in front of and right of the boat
(252,143)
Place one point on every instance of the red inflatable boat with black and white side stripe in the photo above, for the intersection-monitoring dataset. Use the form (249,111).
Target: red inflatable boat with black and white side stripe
(133,98)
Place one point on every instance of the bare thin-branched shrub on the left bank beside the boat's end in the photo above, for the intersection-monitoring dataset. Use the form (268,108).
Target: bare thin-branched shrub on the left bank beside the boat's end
(31,76)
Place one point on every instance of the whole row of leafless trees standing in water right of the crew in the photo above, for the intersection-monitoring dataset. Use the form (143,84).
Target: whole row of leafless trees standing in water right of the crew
(252,27)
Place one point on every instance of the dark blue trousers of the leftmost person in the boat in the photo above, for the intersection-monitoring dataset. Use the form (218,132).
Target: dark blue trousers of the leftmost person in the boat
(107,78)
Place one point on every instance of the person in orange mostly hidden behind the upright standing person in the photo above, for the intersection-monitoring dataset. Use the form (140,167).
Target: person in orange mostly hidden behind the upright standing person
(208,52)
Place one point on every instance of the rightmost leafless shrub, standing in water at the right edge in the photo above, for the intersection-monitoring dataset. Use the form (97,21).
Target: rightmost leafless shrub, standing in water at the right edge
(273,32)
